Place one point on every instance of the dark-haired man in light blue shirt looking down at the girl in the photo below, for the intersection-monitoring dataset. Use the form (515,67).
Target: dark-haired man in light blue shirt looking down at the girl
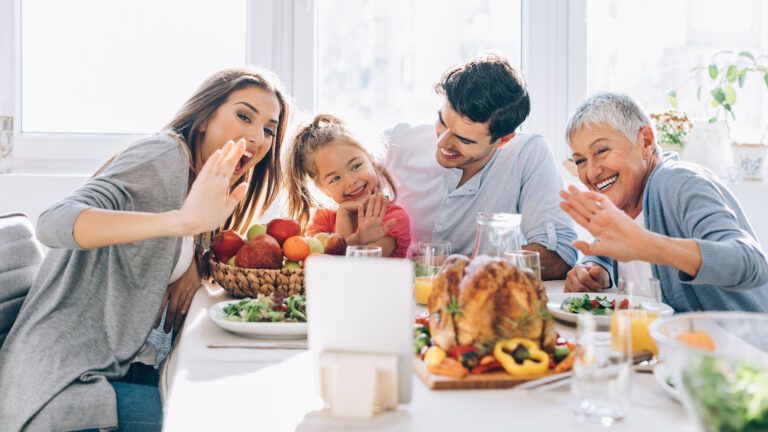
(483,165)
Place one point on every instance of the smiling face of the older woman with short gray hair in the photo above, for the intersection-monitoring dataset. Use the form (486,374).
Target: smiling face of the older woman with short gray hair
(608,162)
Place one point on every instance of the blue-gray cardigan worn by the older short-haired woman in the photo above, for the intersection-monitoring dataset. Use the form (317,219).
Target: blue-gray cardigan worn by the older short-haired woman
(684,200)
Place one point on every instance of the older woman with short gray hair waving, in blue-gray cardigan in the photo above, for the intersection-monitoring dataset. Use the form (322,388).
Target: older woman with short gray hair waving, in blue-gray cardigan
(654,216)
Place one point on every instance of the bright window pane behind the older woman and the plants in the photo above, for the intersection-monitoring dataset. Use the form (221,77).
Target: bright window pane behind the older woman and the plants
(648,47)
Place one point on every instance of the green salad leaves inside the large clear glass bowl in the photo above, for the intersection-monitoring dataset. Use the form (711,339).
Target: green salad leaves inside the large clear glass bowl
(727,397)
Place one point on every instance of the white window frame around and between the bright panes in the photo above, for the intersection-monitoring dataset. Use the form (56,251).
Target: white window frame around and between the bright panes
(287,44)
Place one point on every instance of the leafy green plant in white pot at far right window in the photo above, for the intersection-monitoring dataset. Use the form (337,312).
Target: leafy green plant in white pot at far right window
(724,76)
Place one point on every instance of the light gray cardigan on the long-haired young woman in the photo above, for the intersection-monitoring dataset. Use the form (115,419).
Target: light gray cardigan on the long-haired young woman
(89,311)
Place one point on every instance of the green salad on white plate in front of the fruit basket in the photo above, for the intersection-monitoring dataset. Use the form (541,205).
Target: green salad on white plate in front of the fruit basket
(267,309)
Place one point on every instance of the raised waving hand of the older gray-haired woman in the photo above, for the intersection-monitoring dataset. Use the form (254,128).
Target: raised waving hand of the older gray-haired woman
(616,235)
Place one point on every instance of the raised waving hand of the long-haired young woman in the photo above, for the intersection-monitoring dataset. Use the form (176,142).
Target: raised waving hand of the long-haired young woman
(210,201)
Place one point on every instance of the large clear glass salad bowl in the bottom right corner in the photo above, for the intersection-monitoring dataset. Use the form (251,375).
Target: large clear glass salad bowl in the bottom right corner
(720,361)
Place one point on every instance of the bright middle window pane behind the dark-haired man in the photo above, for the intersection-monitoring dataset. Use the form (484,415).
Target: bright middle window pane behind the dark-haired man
(381,59)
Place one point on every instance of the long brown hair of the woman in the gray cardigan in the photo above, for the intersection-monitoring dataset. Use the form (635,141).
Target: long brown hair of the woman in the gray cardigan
(265,180)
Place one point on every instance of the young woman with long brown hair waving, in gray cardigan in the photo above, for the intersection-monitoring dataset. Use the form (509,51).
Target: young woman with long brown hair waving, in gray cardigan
(122,249)
